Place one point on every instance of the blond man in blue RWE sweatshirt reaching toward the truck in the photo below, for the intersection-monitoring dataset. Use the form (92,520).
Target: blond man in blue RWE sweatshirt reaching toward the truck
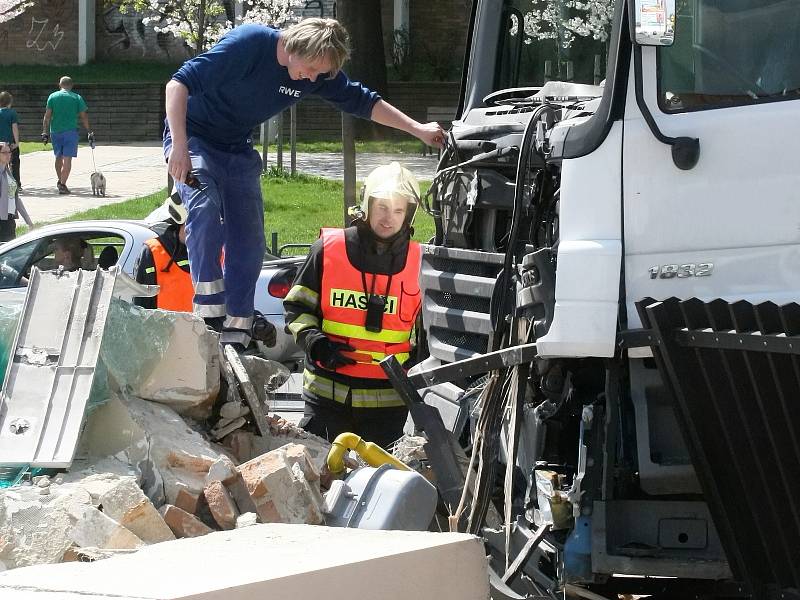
(212,104)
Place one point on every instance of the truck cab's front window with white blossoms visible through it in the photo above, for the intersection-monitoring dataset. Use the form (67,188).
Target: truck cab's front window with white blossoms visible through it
(563,40)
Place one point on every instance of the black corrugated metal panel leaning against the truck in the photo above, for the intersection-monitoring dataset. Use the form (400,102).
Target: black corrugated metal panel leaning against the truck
(734,373)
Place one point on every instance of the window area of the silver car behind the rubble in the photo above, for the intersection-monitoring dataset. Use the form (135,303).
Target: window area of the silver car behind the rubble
(70,251)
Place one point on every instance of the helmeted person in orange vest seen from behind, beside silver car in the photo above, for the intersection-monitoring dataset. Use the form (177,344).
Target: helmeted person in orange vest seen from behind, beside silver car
(164,261)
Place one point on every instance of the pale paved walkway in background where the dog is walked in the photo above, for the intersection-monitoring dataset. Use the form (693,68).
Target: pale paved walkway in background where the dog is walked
(134,170)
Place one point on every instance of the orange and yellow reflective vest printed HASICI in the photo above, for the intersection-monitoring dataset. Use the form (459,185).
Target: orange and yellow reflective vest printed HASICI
(343,301)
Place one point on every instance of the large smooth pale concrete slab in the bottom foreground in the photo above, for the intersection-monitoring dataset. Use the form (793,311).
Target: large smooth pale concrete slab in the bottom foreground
(273,561)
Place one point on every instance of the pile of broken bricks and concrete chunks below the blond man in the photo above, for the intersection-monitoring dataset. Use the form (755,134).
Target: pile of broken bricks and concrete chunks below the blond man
(145,469)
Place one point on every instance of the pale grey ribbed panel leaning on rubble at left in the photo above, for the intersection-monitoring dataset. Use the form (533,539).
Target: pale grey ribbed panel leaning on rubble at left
(51,370)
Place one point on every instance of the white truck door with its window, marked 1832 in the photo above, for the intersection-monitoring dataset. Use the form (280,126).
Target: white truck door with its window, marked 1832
(730,226)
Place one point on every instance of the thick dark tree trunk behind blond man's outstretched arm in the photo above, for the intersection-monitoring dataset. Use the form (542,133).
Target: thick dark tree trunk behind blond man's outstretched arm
(367,64)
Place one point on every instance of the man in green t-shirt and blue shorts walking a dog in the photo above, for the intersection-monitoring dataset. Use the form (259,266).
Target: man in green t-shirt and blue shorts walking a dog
(60,124)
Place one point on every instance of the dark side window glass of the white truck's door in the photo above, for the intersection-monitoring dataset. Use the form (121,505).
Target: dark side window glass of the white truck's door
(731,52)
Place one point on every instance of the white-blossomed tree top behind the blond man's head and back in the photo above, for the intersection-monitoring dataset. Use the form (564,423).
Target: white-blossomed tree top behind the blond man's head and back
(201,23)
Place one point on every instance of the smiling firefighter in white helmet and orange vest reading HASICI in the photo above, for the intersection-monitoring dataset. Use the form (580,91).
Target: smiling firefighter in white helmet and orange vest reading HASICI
(354,301)
